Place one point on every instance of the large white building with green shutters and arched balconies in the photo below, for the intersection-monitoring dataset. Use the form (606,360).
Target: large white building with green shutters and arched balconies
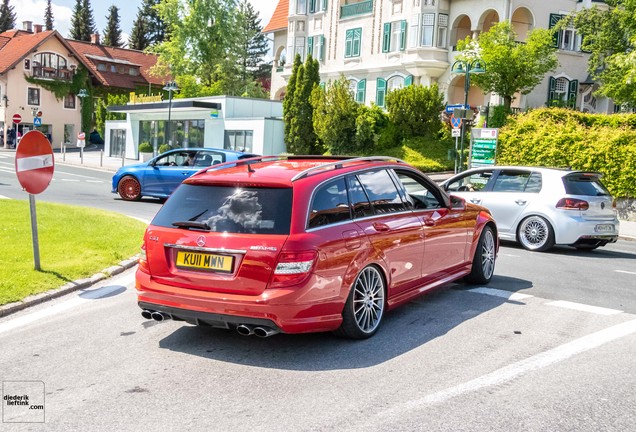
(381,45)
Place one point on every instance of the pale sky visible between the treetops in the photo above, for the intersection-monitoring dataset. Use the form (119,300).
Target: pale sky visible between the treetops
(33,10)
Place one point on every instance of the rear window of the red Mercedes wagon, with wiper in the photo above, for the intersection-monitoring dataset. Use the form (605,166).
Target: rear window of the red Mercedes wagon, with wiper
(228,209)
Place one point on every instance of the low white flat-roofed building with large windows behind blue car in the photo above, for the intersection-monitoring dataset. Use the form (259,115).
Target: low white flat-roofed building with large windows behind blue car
(252,125)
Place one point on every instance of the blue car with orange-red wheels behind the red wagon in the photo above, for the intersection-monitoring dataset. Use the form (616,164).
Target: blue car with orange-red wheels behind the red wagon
(160,176)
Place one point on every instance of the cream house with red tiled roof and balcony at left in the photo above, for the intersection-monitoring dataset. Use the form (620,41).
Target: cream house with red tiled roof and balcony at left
(37,64)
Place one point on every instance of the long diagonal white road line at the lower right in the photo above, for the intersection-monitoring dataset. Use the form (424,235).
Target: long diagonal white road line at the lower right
(514,370)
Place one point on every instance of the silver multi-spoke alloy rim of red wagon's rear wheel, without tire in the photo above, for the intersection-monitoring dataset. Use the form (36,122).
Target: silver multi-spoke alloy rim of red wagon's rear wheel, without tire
(368,299)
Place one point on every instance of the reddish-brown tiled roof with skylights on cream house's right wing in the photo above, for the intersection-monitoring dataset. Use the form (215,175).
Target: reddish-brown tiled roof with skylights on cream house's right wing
(92,54)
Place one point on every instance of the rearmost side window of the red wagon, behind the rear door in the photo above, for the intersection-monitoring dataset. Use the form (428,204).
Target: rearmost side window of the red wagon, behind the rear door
(330,204)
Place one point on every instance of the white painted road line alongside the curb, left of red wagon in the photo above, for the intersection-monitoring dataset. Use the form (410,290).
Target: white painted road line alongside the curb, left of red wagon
(56,309)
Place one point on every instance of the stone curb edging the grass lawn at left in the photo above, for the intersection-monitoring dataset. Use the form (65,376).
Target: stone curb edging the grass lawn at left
(67,288)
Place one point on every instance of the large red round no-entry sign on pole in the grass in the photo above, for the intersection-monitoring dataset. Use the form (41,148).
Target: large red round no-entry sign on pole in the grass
(34,164)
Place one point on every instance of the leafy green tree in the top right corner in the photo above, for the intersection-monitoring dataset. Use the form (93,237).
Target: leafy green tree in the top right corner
(610,36)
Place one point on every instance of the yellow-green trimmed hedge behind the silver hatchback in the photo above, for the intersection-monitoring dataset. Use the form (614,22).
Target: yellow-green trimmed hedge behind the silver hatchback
(563,138)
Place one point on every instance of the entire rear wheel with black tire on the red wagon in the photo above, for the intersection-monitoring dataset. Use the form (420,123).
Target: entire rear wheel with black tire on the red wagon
(364,309)
